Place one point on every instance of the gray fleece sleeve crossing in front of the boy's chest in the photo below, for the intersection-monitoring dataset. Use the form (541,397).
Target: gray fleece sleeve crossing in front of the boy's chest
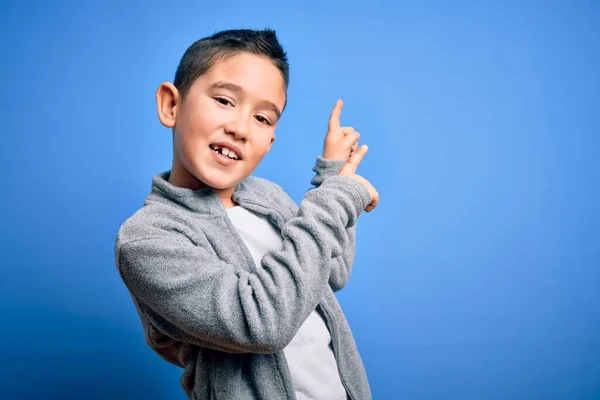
(192,296)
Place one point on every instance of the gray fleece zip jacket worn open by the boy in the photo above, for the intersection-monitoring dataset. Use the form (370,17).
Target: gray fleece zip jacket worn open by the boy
(206,307)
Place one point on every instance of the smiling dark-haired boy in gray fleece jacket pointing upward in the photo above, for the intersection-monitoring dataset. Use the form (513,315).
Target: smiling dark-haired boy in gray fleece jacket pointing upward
(232,280)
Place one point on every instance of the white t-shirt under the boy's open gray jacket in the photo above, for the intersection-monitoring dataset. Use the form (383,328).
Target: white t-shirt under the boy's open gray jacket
(309,355)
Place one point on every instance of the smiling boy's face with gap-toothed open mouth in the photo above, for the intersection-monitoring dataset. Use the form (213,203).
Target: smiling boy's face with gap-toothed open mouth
(236,104)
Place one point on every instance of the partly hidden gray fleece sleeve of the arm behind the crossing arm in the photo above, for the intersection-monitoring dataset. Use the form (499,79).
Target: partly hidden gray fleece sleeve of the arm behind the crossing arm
(341,266)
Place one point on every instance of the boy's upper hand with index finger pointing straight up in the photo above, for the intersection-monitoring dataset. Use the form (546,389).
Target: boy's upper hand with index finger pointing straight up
(340,142)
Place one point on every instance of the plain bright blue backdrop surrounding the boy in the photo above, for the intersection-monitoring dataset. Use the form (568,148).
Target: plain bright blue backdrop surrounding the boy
(478,275)
